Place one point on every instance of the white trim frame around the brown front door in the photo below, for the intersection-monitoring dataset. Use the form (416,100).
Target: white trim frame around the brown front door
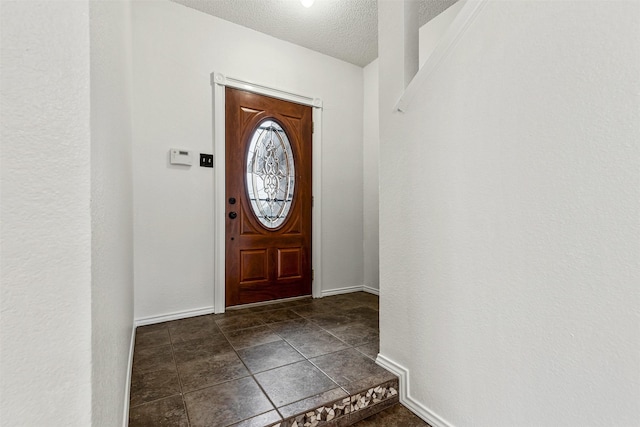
(218,83)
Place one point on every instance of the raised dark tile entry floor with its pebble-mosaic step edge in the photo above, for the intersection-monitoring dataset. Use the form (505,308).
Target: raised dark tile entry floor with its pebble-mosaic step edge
(263,366)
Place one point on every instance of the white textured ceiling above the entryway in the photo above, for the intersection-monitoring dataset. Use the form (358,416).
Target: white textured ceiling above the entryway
(344,29)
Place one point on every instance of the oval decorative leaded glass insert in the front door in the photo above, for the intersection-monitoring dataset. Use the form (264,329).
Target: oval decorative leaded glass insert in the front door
(270,174)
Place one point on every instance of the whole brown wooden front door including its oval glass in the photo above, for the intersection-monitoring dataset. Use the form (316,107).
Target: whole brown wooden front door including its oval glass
(268,198)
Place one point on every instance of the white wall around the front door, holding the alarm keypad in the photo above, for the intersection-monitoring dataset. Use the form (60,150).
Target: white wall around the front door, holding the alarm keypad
(175,49)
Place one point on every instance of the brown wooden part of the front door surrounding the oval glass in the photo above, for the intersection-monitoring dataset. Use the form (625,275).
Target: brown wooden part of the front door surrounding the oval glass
(264,264)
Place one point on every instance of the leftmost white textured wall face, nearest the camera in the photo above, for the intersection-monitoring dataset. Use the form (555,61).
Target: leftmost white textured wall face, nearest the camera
(45,300)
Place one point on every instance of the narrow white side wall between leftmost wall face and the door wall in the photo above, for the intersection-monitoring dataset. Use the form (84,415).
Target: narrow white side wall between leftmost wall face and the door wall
(111,208)
